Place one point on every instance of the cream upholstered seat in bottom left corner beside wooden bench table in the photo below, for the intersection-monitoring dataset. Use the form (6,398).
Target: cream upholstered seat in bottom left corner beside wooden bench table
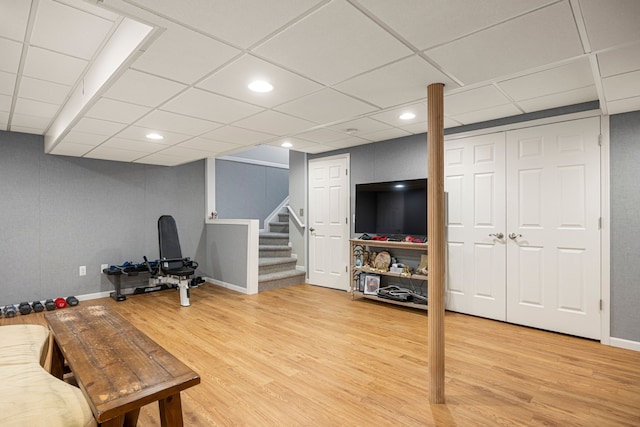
(29,395)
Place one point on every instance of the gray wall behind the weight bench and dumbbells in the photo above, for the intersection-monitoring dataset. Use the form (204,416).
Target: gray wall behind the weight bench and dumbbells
(58,213)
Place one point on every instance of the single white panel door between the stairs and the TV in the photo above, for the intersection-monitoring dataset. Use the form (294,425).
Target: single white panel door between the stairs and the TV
(328,222)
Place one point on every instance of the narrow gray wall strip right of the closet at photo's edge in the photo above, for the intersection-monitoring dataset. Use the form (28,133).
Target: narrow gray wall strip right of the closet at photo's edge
(625,231)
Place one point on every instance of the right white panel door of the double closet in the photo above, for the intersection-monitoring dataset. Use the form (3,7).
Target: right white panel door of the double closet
(553,243)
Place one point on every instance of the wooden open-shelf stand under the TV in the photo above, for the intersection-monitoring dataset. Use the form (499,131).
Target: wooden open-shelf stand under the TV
(410,250)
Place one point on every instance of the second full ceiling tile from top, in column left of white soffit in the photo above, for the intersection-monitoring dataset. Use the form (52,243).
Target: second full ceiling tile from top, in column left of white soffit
(54,67)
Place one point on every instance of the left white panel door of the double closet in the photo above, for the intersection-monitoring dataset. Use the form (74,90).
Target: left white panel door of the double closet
(474,182)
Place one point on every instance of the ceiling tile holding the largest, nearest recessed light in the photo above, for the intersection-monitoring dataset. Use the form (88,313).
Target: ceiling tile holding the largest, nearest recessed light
(233,80)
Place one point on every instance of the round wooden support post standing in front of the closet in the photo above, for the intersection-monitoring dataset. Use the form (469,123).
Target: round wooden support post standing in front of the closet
(435,230)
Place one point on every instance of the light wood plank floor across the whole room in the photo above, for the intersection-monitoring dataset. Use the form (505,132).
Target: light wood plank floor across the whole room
(309,356)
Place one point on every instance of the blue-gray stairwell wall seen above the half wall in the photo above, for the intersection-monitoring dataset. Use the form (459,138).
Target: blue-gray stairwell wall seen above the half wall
(249,191)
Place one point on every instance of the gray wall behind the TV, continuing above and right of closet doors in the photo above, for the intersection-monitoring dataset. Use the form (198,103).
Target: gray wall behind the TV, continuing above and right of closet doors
(406,158)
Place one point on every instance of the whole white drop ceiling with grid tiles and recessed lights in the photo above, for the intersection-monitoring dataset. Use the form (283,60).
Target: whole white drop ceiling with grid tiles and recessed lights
(343,70)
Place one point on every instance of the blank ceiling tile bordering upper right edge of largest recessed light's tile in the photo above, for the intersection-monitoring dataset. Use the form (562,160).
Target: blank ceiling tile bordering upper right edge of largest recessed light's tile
(317,45)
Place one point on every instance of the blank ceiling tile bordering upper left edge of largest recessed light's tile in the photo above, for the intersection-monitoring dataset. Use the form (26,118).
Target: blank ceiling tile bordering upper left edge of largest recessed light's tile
(184,55)
